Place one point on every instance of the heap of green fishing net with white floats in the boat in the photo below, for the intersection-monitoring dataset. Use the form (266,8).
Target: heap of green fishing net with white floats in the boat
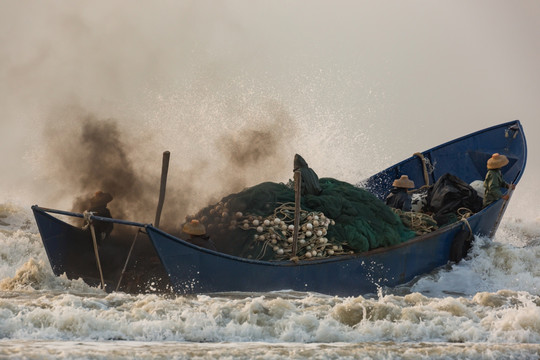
(342,218)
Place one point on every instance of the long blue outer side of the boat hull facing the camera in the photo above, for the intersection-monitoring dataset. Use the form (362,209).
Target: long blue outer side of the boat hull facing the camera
(195,270)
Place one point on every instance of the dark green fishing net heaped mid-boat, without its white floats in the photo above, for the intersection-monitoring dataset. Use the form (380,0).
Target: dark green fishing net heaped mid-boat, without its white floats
(360,220)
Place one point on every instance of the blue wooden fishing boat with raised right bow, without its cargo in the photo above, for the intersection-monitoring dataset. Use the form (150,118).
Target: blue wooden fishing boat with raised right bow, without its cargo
(192,269)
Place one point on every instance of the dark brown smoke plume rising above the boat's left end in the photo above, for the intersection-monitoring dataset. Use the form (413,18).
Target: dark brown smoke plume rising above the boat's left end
(94,156)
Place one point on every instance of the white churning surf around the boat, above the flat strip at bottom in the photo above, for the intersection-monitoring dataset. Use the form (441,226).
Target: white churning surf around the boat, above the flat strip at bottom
(490,297)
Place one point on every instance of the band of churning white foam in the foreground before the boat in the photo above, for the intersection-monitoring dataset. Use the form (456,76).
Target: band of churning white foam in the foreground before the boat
(504,316)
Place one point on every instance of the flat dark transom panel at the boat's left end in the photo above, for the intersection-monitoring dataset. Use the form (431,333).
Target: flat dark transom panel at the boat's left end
(71,252)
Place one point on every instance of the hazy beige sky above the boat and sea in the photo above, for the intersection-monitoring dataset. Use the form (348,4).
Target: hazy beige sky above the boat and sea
(353,86)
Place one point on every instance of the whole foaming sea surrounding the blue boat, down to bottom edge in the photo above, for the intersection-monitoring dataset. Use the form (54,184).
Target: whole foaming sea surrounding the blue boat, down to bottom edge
(485,307)
